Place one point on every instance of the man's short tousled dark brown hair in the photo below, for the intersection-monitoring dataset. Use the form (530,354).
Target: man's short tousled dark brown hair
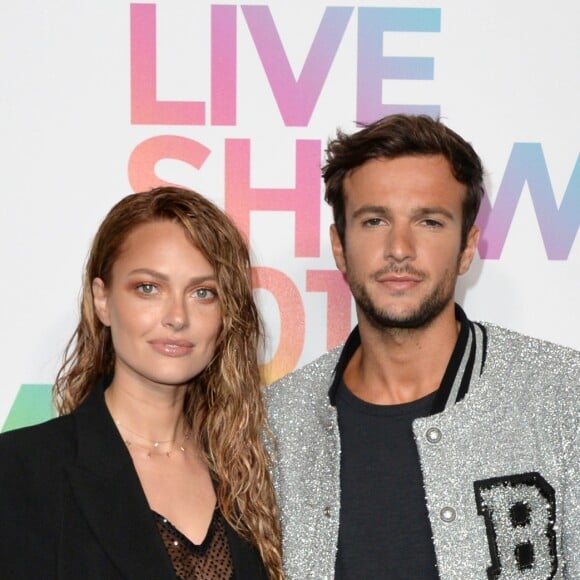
(396,136)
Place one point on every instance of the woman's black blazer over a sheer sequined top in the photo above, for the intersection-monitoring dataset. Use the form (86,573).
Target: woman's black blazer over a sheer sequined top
(72,506)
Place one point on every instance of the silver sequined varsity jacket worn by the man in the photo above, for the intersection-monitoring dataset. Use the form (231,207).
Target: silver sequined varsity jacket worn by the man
(500,468)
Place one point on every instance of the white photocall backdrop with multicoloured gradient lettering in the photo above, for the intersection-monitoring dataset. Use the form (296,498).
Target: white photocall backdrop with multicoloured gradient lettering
(237,101)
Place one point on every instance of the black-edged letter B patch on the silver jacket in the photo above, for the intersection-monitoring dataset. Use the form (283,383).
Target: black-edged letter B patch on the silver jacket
(519,512)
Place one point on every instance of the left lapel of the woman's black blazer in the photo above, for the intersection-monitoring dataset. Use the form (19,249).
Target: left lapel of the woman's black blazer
(106,486)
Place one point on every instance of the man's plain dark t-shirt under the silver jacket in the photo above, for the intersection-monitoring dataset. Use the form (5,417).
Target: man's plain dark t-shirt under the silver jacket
(384,528)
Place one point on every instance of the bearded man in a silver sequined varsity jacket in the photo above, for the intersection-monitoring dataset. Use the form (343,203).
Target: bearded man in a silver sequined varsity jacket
(427,446)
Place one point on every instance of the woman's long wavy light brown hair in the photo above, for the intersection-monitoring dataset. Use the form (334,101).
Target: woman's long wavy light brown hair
(223,404)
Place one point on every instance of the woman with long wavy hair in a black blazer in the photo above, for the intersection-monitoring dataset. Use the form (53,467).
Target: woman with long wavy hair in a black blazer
(155,468)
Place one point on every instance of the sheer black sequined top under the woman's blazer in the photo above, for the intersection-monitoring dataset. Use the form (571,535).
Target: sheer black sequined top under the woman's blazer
(209,560)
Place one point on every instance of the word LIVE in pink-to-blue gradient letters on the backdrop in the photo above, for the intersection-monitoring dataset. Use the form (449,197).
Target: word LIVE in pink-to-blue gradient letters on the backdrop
(296,96)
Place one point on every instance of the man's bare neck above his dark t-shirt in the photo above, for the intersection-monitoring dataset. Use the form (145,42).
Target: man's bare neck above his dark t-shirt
(394,366)
